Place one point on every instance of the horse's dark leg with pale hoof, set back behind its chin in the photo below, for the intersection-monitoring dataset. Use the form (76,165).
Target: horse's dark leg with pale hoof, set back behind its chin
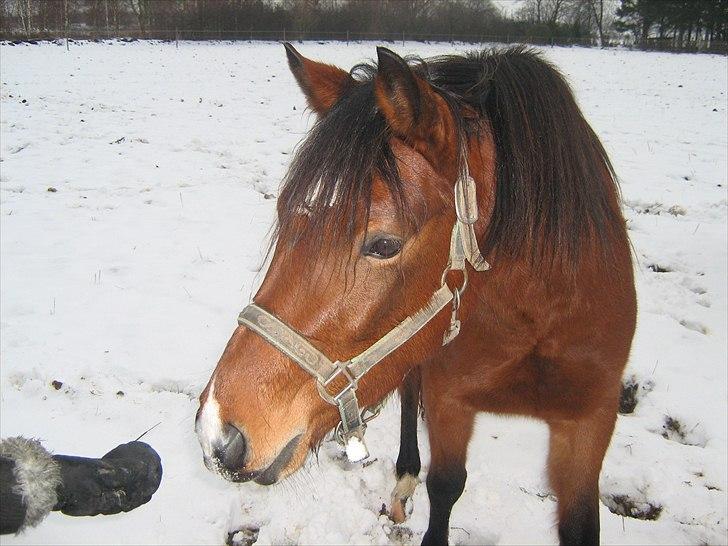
(408,461)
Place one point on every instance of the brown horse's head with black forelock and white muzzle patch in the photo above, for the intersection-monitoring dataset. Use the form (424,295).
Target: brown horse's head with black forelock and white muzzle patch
(363,241)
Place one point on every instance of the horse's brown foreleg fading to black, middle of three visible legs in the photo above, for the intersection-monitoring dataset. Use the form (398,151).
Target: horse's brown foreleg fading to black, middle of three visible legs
(449,426)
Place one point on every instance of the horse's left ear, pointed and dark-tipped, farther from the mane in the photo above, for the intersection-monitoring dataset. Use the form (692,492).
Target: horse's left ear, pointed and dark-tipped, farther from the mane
(322,84)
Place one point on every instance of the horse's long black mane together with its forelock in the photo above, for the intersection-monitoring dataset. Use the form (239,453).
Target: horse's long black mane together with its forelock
(555,191)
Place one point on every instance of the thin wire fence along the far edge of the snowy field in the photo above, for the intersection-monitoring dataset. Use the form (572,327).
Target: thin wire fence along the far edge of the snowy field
(177,35)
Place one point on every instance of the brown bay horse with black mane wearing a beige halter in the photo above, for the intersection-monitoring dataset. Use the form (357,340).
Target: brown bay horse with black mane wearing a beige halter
(374,216)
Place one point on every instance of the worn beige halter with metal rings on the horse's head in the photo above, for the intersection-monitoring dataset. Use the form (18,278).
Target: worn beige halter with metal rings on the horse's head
(350,430)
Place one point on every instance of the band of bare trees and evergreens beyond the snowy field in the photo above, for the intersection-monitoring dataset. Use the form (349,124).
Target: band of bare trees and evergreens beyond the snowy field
(686,22)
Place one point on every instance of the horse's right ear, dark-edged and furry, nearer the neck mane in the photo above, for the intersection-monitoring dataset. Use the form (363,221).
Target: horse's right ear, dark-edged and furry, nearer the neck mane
(412,108)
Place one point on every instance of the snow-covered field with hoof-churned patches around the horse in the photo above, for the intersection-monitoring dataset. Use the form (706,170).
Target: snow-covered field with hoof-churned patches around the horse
(124,281)
